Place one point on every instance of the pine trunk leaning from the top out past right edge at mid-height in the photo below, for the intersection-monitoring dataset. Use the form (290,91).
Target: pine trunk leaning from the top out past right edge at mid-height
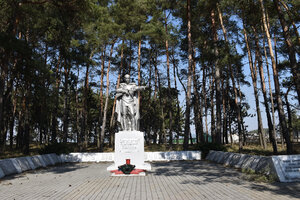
(290,47)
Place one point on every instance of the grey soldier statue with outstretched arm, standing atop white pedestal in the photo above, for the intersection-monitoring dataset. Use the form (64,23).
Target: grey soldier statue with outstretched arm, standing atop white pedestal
(127,106)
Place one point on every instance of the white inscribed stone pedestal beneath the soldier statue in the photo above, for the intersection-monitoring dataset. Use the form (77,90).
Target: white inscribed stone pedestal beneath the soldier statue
(129,145)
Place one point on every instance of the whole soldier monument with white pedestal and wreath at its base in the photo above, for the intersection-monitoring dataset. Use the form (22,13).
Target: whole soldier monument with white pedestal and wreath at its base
(129,141)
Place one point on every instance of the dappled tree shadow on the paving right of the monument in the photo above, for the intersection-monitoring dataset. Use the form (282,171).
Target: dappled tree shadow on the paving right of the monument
(205,172)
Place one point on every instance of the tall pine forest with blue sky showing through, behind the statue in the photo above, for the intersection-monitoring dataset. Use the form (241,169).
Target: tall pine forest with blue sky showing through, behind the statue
(61,61)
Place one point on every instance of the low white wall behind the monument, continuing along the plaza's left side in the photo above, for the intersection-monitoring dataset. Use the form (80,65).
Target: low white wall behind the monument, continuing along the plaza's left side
(18,165)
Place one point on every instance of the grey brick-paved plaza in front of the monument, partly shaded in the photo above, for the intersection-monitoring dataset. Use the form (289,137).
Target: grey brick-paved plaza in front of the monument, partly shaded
(168,180)
